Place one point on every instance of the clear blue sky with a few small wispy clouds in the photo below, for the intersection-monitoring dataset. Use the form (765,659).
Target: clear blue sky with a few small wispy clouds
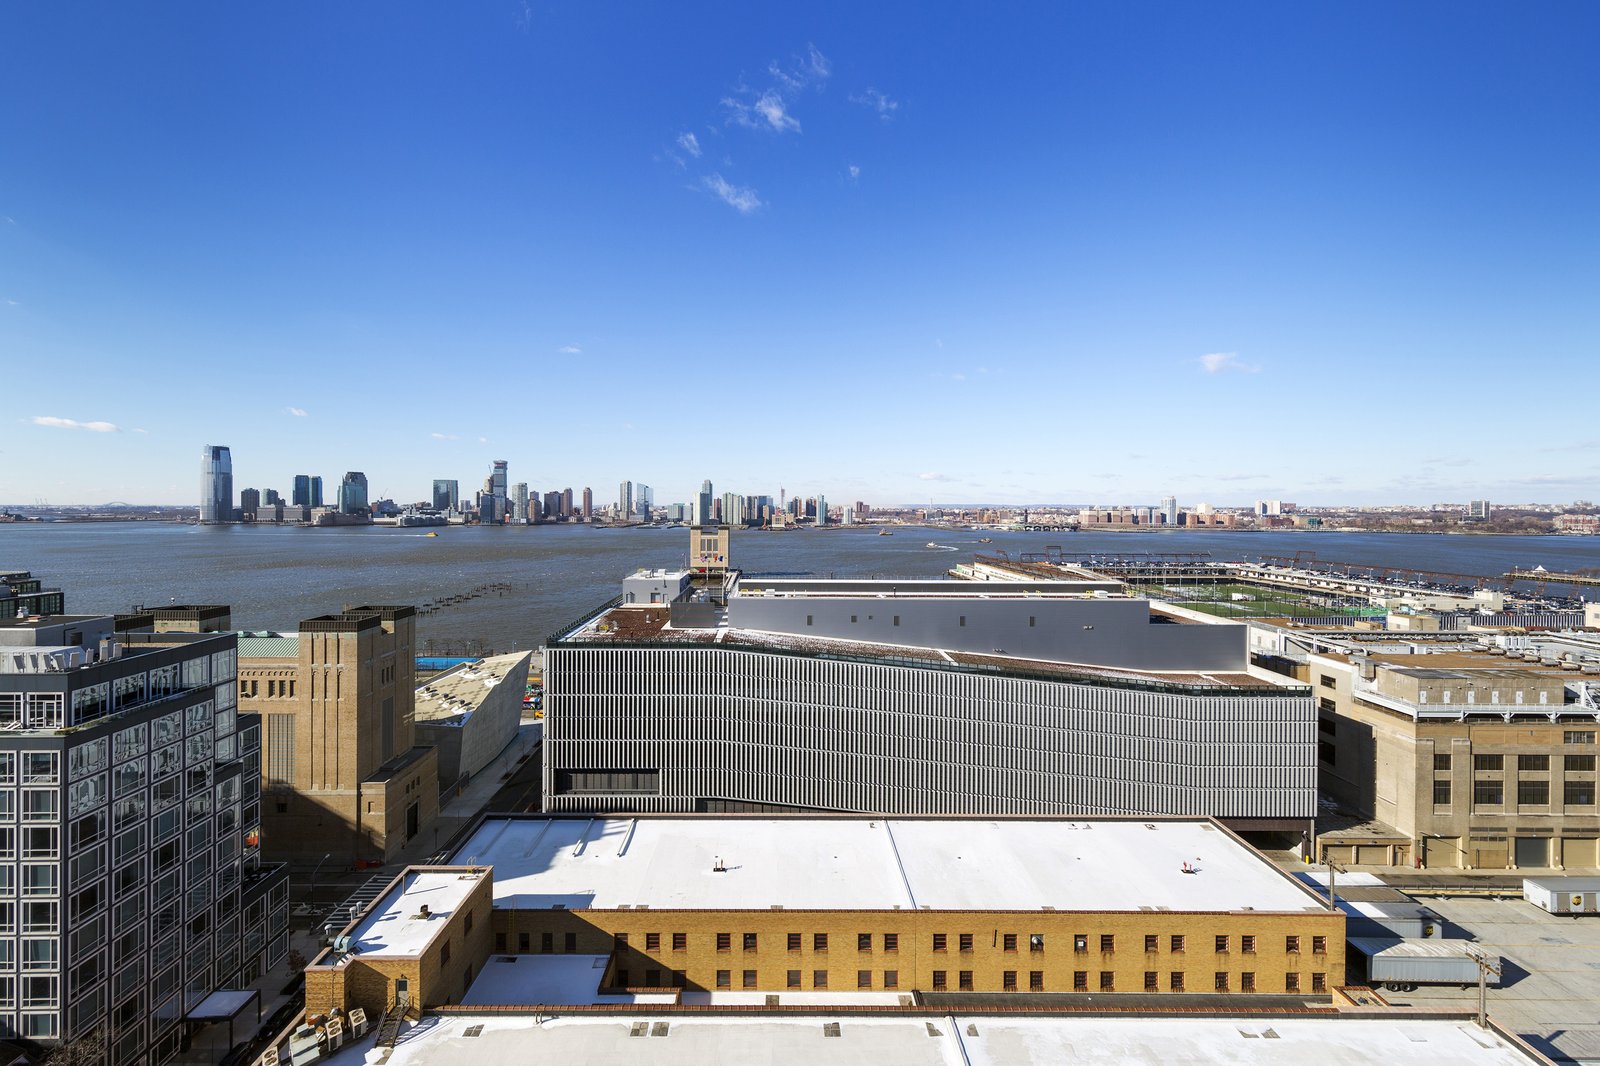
(894,252)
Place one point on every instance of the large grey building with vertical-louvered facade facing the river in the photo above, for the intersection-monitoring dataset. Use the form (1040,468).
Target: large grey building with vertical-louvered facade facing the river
(935,699)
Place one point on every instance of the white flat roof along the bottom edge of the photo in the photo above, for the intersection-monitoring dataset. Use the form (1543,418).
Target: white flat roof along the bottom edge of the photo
(940,1041)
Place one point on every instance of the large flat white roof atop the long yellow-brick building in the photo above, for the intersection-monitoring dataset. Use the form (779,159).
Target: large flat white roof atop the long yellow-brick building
(862,864)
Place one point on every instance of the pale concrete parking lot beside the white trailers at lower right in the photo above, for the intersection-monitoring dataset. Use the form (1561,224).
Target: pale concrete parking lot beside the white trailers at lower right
(1551,987)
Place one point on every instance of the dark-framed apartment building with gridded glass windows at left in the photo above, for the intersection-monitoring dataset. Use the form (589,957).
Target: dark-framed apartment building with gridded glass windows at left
(130,876)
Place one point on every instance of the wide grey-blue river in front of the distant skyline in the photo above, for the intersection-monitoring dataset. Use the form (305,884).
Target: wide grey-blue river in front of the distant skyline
(274,577)
